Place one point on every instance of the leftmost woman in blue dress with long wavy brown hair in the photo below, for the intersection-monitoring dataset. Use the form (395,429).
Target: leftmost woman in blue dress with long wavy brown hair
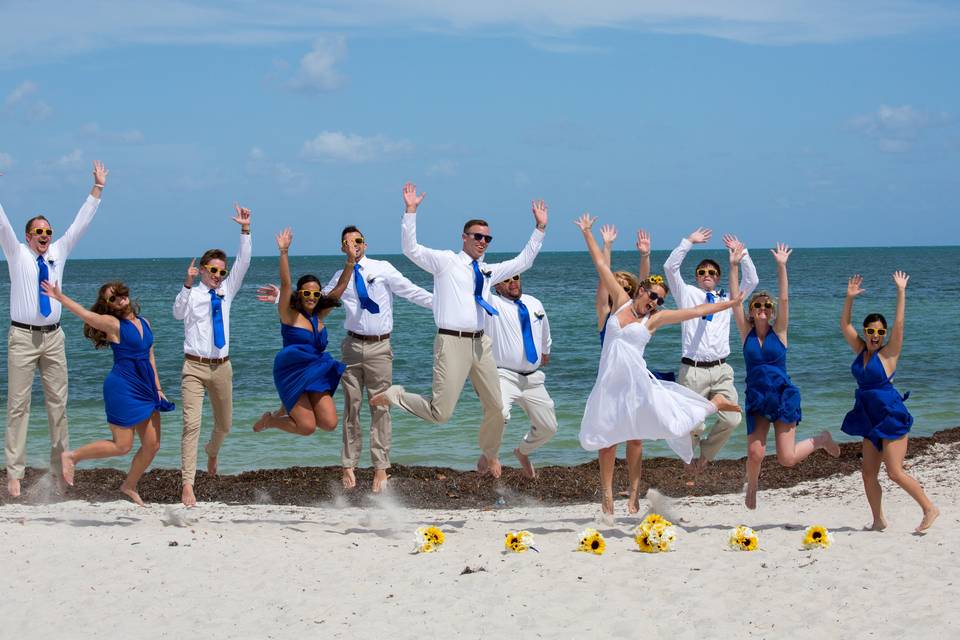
(132,395)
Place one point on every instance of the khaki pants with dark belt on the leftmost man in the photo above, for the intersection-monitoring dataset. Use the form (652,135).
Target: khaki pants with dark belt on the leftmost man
(26,352)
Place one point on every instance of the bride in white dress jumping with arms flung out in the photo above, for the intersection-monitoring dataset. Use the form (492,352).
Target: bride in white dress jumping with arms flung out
(627,403)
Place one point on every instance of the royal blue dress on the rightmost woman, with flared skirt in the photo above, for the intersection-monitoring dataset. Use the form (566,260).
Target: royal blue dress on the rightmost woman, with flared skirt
(878,412)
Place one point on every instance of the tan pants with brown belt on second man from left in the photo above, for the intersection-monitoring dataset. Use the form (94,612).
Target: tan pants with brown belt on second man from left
(196,379)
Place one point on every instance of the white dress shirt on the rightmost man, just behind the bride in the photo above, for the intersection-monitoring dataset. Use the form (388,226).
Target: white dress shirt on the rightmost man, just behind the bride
(705,340)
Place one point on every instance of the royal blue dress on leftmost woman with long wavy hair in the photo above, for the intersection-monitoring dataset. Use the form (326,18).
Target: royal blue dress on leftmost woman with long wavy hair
(130,393)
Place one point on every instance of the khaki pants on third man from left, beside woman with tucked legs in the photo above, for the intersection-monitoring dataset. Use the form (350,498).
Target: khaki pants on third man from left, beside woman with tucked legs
(370,365)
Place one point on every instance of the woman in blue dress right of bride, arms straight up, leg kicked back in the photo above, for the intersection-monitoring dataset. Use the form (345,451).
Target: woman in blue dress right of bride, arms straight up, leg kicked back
(771,398)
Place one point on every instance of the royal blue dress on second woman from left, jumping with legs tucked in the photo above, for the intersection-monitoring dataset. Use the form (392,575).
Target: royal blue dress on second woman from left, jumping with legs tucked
(303,365)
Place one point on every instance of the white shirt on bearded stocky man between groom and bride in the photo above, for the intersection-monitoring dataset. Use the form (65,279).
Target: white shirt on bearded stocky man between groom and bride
(507,337)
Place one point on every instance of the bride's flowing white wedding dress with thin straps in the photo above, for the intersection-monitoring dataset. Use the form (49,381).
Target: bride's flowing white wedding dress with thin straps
(628,403)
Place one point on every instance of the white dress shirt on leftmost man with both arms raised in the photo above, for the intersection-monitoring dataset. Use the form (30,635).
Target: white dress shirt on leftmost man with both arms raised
(25,272)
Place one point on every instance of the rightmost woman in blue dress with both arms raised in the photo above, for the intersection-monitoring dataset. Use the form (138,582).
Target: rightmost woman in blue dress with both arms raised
(879,415)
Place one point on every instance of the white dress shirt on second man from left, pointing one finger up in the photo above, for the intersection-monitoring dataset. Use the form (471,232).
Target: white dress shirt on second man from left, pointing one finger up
(194,308)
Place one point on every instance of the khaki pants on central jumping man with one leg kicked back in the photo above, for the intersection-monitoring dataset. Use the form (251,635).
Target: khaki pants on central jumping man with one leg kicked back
(454,358)
